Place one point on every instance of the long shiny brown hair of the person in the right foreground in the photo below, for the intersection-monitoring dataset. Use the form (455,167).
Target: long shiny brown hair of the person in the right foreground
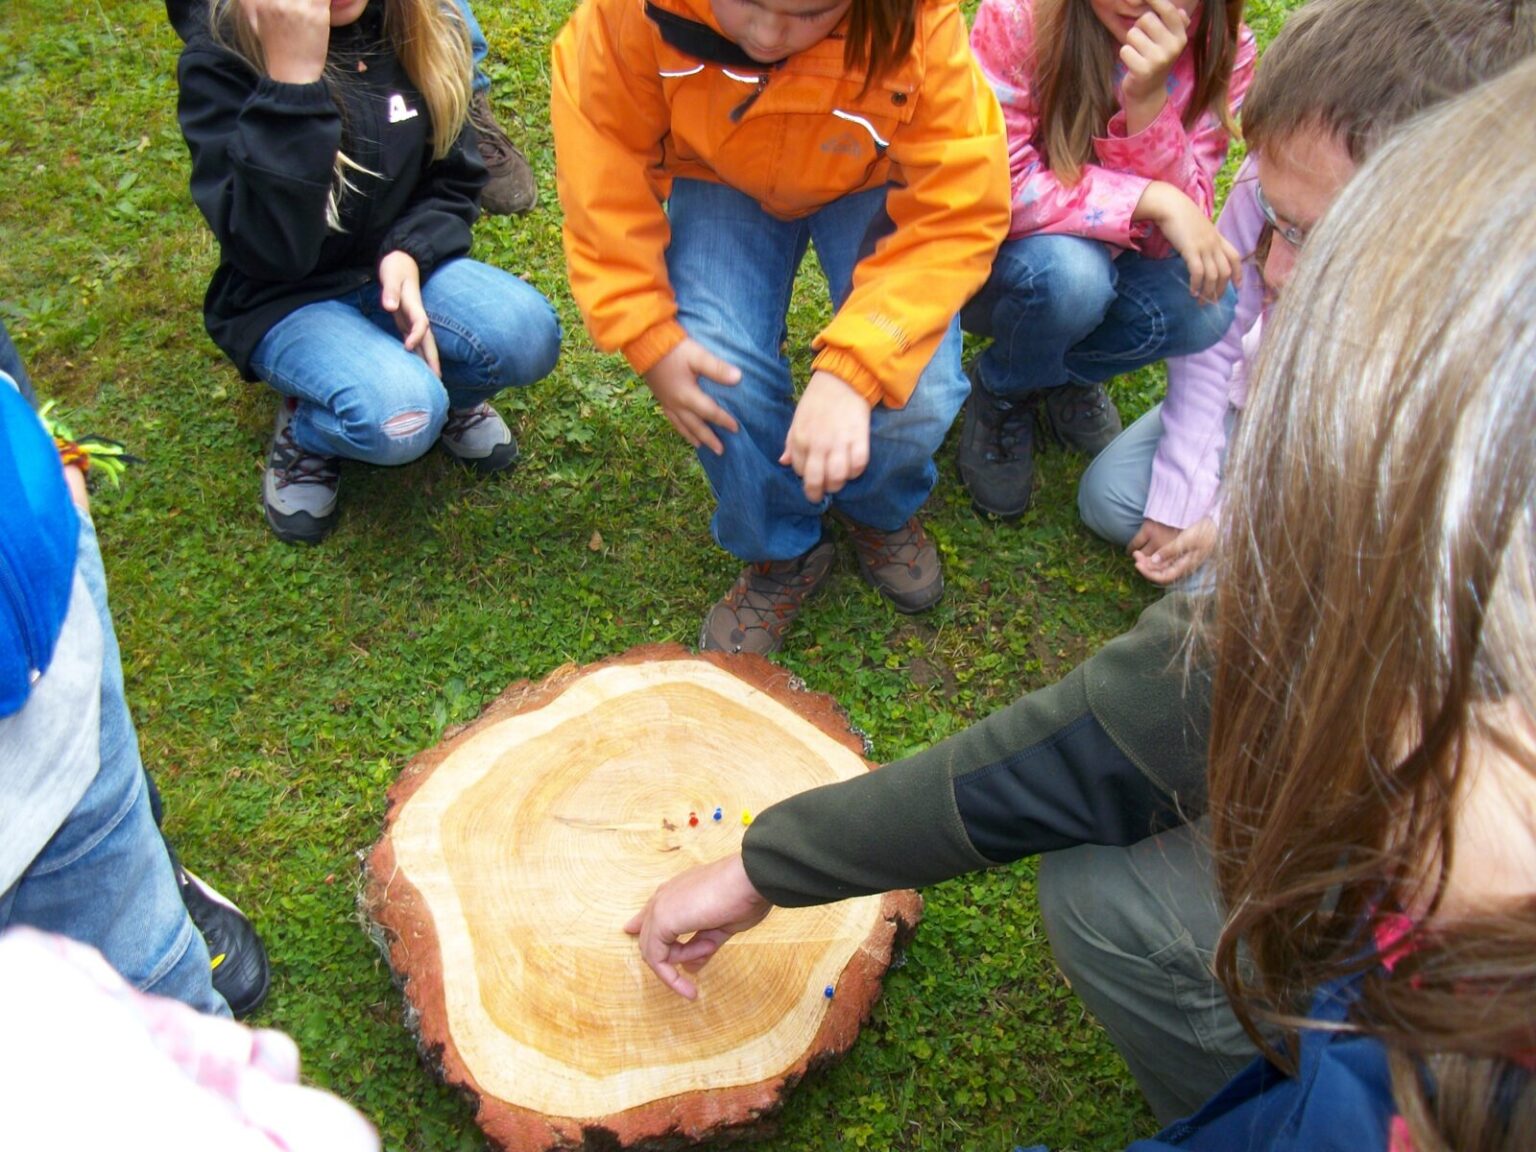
(1374,631)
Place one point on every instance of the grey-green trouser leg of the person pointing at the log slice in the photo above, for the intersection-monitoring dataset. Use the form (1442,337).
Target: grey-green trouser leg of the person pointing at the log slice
(1136,930)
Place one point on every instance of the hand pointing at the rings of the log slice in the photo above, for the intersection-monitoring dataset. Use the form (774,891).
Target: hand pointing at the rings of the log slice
(709,904)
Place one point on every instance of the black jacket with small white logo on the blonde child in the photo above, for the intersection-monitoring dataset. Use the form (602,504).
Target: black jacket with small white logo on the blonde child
(263,159)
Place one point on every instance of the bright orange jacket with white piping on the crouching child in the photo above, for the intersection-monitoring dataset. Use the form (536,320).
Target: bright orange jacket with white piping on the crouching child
(631,113)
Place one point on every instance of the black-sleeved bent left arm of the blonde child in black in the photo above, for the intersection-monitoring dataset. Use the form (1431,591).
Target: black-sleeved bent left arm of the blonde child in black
(262,161)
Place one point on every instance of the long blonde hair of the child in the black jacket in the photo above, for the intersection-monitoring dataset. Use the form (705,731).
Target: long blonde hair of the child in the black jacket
(426,36)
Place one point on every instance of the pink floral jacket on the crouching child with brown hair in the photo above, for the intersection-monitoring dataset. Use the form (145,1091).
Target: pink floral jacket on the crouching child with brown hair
(1107,194)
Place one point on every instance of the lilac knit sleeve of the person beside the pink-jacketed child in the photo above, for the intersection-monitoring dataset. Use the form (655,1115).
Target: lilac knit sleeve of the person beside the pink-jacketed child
(1187,471)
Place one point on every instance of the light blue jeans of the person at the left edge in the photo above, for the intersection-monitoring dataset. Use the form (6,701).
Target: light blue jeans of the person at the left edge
(105,878)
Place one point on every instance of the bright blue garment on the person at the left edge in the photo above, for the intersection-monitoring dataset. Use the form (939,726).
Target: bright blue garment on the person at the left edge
(39,535)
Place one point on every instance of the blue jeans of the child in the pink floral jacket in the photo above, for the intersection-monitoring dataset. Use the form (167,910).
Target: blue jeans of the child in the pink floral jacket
(1062,310)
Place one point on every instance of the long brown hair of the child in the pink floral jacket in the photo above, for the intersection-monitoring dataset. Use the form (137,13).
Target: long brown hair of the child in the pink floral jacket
(1074,76)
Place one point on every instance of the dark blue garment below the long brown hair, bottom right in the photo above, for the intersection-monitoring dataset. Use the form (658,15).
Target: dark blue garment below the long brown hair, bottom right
(1340,1099)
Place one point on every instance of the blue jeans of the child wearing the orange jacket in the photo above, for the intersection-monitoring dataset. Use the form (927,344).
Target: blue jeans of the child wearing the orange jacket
(732,268)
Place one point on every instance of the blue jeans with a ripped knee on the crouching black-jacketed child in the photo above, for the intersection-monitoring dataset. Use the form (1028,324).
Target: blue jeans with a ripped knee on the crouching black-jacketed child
(365,397)
